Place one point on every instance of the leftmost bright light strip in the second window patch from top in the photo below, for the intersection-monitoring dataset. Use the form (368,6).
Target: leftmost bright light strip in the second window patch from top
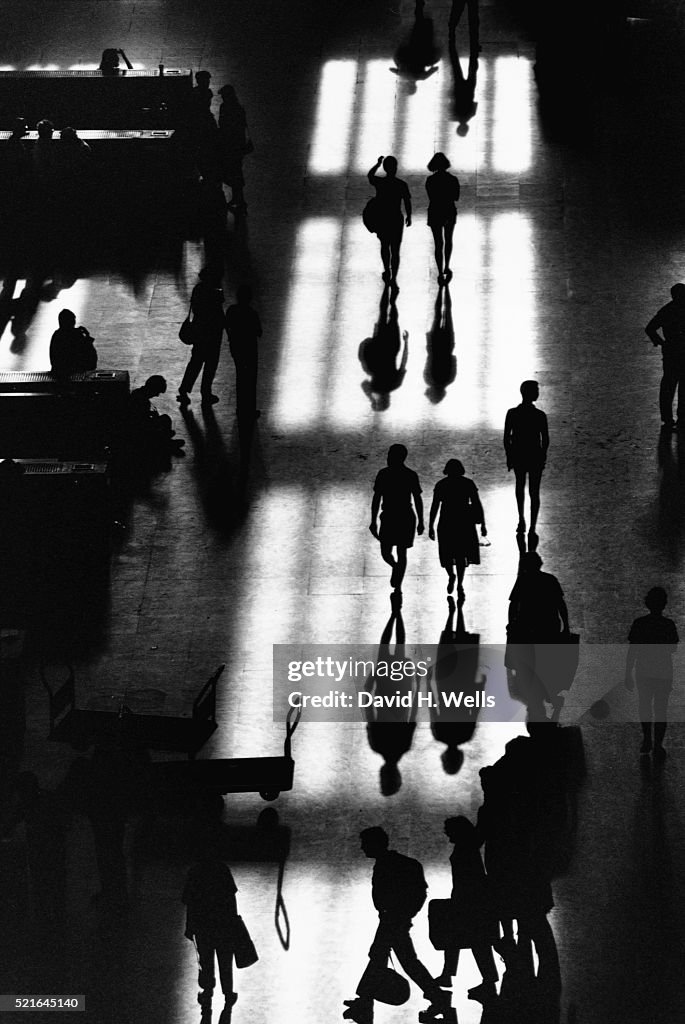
(305,373)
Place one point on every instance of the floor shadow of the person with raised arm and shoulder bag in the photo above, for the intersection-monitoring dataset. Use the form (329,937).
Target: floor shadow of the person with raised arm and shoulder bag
(384,356)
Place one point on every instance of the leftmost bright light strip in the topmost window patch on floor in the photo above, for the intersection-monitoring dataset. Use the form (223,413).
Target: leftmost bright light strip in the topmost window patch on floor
(330,150)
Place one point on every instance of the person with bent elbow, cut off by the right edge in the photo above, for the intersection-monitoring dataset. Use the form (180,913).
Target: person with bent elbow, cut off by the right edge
(671,322)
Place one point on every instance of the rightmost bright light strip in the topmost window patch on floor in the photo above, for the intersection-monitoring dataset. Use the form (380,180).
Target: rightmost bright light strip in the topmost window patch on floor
(511,116)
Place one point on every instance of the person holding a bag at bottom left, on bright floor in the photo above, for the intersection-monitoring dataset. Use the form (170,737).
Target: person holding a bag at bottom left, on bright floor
(210,899)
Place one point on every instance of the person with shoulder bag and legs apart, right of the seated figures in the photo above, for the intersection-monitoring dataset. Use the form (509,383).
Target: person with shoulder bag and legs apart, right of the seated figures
(207,310)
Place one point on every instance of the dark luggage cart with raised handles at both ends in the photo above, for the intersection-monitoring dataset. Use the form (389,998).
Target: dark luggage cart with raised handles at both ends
(81,727)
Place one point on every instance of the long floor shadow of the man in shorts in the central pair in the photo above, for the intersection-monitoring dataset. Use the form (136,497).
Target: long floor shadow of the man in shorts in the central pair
(391,730)
